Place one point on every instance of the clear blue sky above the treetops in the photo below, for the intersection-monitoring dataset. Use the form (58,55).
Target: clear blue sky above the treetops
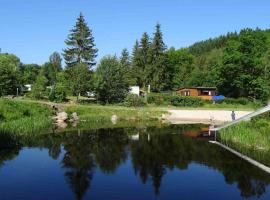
(33,29)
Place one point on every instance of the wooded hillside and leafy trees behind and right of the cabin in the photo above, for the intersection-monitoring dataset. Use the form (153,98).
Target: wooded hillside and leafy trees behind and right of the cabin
(238,64)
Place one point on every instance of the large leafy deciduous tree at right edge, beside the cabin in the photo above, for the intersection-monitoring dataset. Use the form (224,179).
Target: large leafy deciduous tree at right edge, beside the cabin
(242,72)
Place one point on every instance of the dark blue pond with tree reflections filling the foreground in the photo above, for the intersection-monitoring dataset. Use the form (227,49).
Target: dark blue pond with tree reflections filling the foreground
(142,162)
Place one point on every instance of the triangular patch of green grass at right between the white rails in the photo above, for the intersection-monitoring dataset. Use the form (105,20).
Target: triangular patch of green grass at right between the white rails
(251,138)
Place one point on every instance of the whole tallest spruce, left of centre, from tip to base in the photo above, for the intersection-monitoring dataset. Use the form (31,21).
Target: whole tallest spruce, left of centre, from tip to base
(80,54)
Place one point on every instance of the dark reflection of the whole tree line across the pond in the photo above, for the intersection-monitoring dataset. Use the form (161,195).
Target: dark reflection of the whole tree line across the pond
(153,154)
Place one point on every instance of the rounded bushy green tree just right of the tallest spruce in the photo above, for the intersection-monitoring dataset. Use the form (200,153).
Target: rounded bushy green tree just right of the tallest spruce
(110,85)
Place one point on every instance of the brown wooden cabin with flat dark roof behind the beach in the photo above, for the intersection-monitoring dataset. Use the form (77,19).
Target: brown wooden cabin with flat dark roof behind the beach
(205,93)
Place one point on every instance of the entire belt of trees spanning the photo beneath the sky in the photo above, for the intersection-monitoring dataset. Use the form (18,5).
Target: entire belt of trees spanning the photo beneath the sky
(237,63)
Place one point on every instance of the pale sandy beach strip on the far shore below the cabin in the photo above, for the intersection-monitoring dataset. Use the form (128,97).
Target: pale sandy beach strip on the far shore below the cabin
(202,116)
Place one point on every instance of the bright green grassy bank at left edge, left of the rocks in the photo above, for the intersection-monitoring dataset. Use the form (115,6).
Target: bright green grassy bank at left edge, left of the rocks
(24,117)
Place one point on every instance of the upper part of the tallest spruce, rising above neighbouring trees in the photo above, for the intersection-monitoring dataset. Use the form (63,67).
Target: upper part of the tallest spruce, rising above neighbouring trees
(81,46)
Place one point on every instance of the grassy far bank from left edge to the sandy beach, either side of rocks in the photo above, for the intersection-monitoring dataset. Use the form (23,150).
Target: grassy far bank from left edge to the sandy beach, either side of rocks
(29,117)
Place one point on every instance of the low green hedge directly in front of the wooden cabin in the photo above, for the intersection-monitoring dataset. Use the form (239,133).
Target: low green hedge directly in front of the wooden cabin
(186,101)
